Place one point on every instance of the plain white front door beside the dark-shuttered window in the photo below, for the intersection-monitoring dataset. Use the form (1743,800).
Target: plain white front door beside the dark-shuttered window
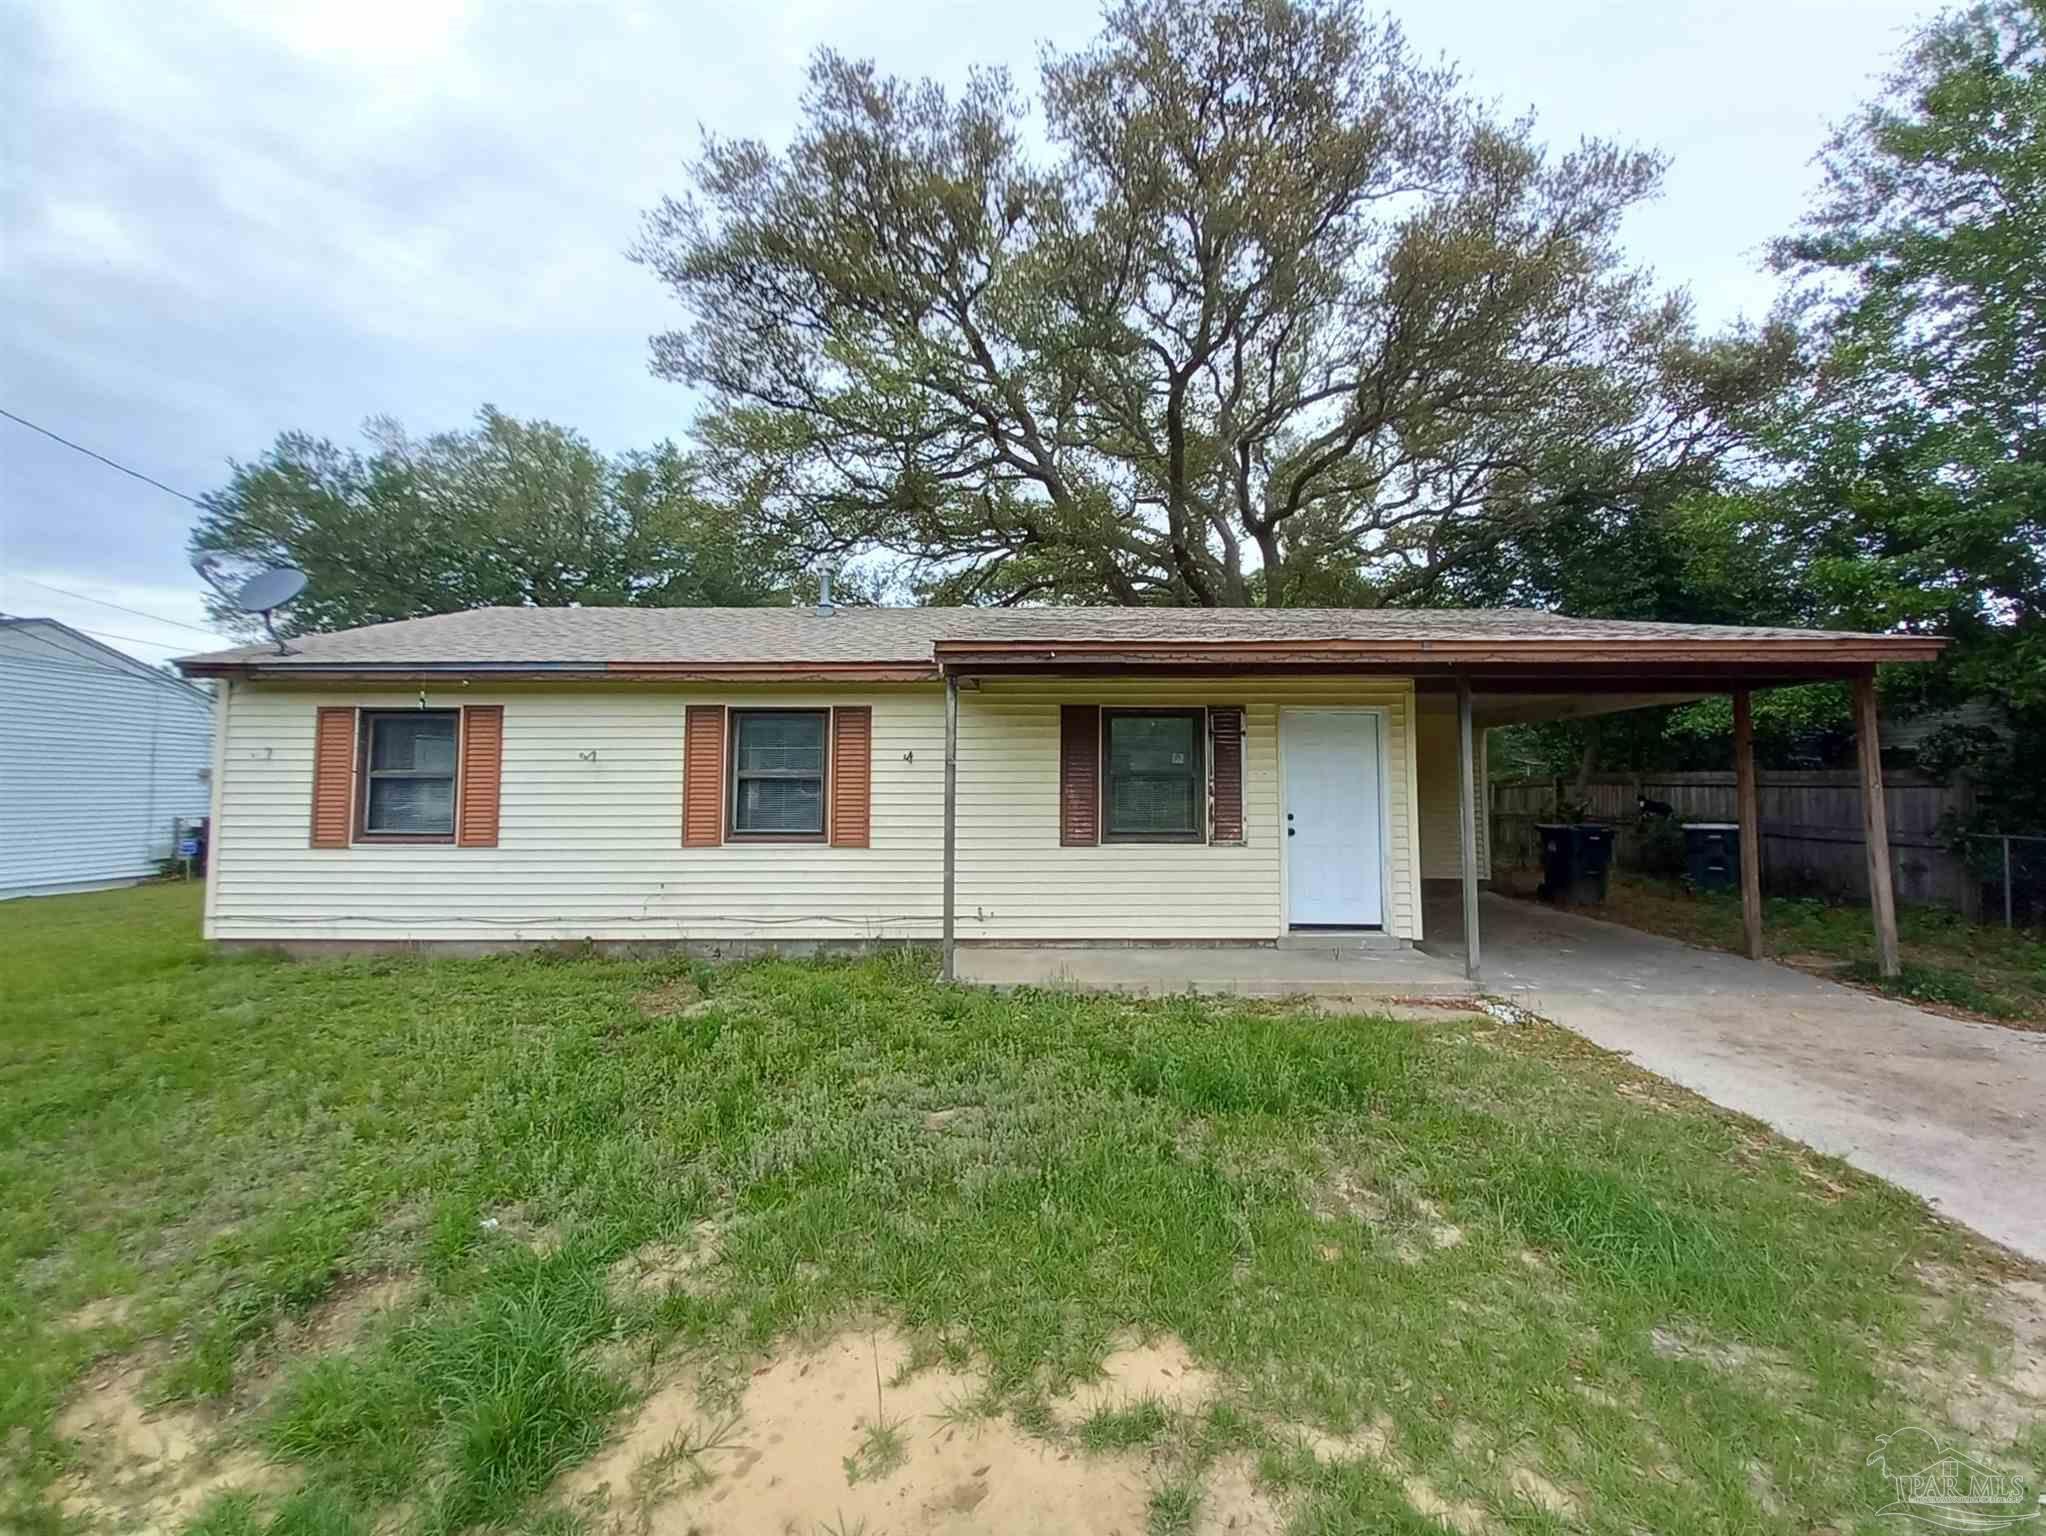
(1331,815)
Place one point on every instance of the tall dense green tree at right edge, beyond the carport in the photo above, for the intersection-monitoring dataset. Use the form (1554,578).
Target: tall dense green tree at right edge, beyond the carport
(1920,451)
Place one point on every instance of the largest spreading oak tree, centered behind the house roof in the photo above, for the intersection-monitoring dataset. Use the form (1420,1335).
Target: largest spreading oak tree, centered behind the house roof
(1280,316)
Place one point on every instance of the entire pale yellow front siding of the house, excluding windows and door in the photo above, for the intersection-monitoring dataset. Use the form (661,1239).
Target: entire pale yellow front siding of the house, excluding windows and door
(590,829)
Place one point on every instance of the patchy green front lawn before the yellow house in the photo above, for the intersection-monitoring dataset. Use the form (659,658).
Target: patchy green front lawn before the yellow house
(1521,1283)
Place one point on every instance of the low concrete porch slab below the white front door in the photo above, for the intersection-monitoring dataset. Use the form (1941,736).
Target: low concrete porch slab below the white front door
(1214,970)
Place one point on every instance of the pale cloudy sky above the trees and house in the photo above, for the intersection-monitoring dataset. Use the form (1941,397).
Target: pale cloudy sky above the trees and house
(220,222)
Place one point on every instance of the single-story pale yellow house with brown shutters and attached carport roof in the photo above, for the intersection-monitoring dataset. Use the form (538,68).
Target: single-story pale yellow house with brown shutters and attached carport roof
(938,774)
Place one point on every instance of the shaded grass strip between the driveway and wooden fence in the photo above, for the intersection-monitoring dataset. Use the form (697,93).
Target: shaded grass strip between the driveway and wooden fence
(1973,968)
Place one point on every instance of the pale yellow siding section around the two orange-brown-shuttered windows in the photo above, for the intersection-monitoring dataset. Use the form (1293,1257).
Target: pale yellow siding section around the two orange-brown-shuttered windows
(590,833)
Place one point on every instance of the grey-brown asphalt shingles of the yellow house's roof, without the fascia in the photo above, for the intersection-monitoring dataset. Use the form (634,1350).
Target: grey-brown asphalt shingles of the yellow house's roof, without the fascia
(905,635)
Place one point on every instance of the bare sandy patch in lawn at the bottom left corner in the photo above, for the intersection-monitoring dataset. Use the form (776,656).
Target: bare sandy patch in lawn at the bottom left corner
(144,1470)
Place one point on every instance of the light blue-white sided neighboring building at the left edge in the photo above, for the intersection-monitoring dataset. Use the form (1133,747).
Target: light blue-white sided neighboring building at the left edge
(99,758)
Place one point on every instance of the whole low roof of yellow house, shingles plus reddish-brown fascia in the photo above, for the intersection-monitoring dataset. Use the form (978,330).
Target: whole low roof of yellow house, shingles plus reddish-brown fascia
(905,643)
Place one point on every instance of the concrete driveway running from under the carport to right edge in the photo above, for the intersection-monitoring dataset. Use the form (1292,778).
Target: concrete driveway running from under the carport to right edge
(1947,1110)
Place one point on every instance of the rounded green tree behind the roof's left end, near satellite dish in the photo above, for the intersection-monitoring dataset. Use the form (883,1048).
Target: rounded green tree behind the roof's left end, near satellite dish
(508,514)
